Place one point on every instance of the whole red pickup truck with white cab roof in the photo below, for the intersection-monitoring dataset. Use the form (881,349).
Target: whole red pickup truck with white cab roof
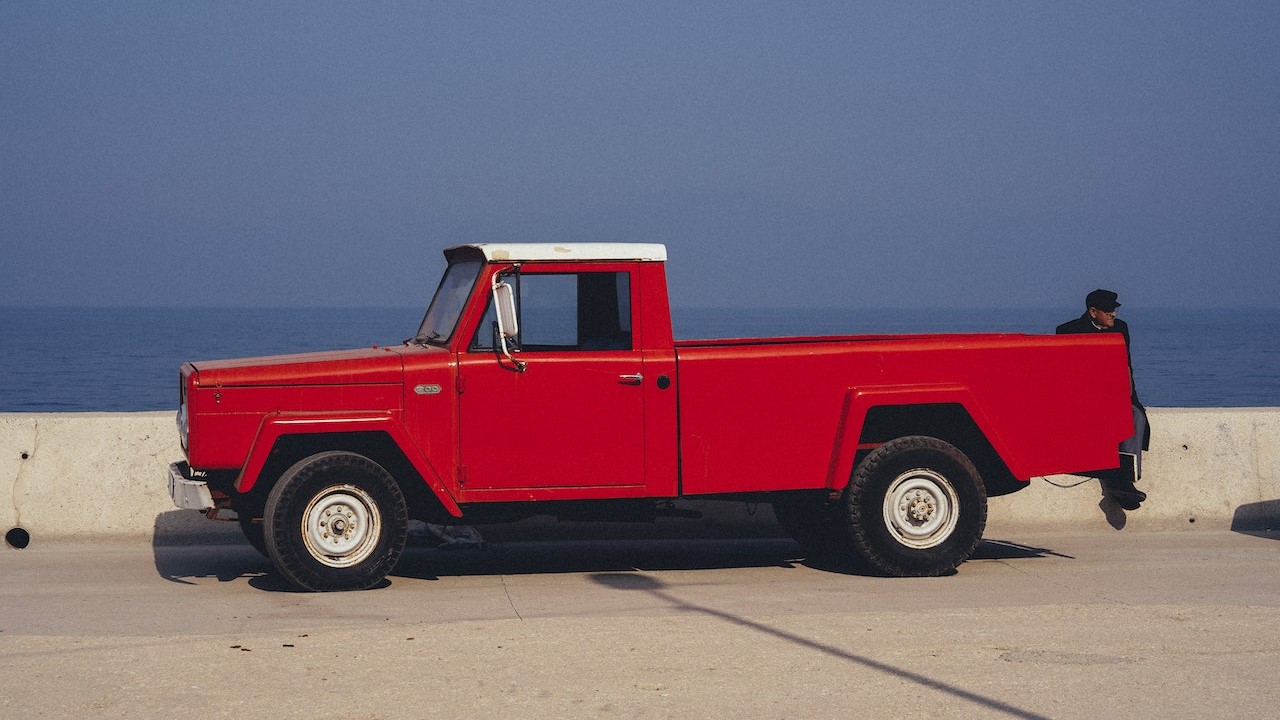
(545,380)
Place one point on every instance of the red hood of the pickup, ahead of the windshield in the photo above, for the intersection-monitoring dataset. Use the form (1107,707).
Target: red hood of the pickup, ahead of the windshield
(377,366)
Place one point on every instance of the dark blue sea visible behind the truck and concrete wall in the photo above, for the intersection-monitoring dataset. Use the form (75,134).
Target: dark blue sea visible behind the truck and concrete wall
(113,359)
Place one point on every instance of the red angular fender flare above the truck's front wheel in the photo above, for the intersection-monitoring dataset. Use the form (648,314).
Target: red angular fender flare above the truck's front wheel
(276,427)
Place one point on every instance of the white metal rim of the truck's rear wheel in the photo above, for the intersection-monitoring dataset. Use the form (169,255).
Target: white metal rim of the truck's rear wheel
(921,509)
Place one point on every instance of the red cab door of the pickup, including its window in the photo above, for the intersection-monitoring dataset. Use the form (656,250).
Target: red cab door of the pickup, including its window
(572,423)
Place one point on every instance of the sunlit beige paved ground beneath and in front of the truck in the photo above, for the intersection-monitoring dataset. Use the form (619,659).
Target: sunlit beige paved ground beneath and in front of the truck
(1127,626)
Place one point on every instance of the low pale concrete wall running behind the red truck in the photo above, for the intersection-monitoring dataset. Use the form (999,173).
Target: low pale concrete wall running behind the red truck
(92,475)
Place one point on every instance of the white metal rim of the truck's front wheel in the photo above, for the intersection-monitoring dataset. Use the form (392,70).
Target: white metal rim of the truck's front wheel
(341,526)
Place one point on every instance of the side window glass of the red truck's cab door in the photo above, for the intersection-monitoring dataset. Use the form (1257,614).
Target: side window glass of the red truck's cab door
(568,312)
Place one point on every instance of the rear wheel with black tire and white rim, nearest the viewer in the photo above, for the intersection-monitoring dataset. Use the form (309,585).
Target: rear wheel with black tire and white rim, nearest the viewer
(916,507)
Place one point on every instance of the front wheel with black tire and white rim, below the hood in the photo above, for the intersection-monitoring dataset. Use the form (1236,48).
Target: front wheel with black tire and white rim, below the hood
(336,522)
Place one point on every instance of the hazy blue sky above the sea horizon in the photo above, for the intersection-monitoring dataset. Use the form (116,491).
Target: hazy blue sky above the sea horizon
(810,154)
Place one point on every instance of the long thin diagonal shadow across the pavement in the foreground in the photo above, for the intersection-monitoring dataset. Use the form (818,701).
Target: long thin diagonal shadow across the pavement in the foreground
(657,589)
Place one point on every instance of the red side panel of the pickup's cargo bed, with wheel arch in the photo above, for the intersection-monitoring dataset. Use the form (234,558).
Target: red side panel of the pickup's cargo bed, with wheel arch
(784,416)
